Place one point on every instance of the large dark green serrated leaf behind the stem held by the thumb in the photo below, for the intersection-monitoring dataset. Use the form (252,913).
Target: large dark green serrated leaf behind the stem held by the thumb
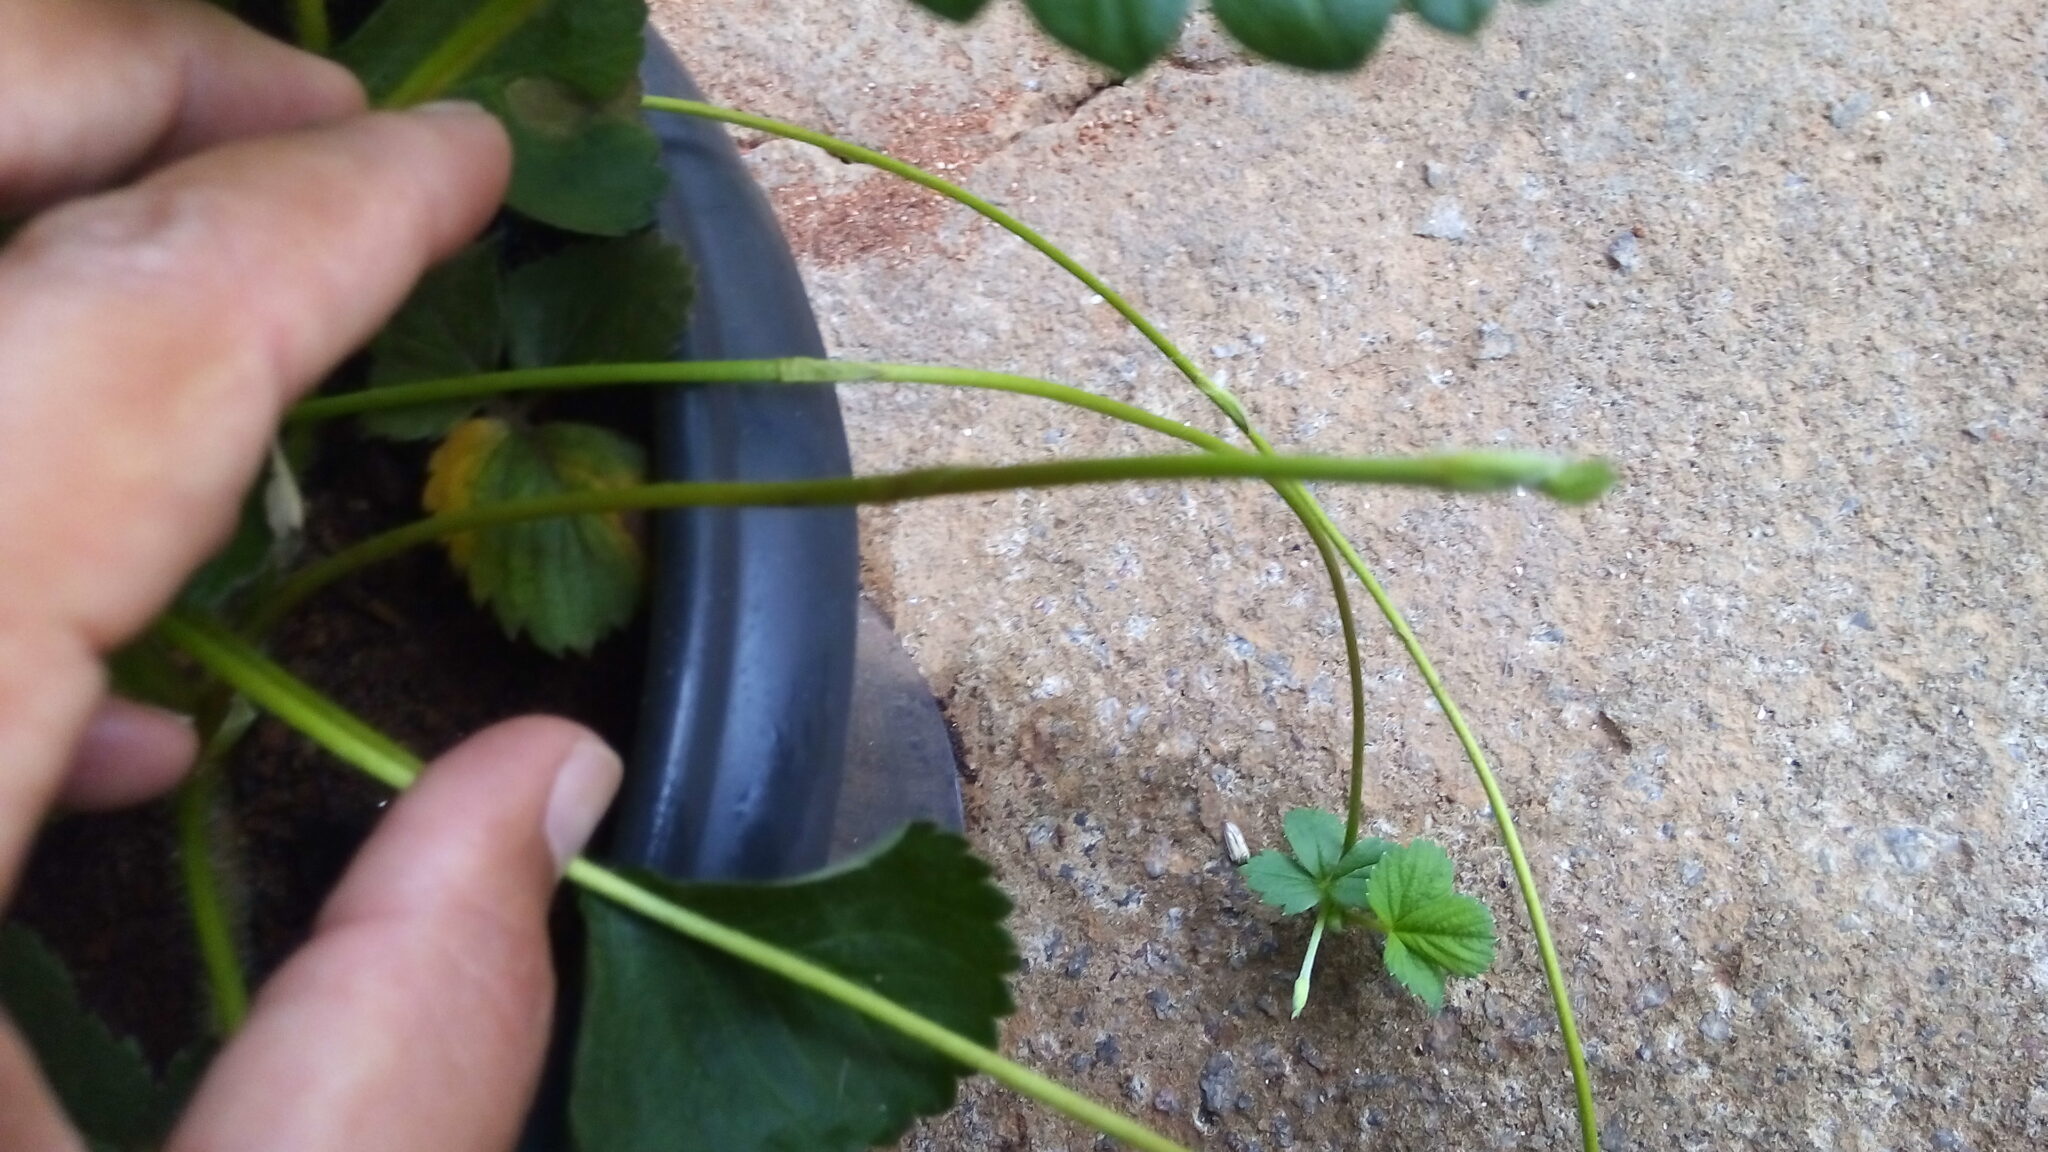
(685,1048)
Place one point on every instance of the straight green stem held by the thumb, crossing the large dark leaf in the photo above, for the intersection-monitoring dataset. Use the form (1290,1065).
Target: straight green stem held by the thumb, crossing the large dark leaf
(273,690)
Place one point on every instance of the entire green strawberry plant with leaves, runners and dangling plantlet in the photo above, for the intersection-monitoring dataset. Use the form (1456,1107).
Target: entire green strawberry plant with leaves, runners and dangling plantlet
(570,292)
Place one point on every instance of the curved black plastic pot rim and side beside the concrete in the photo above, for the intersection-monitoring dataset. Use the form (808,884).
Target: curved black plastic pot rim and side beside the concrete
(753,614)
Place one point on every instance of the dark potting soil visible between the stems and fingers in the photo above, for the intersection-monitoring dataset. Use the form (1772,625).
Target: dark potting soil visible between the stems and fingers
(400,647)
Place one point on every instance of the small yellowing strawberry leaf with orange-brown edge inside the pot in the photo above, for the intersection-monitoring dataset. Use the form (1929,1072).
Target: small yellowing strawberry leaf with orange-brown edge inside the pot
(566,581)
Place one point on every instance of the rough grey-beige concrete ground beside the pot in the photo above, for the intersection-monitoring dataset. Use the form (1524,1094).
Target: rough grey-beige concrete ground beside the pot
(1773,716)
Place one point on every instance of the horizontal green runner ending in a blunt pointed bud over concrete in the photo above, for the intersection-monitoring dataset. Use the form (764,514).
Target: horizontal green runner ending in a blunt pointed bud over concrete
(1463,472)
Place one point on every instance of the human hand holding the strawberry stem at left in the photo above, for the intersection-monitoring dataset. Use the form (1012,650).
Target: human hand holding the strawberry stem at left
(218,224)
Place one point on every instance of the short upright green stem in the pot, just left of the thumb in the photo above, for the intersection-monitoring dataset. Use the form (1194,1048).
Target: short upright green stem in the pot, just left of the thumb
(196,817)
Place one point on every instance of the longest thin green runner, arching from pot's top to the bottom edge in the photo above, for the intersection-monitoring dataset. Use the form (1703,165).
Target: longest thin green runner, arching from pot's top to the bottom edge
(1316,520)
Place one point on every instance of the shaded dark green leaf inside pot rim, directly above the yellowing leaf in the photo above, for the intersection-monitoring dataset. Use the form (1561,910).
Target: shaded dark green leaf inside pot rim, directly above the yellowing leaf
(601,302)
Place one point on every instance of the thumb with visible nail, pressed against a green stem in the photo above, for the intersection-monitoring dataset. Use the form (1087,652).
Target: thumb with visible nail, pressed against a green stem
(417,1016)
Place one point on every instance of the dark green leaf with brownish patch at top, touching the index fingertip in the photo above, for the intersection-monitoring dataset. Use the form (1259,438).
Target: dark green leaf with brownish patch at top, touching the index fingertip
(562,75)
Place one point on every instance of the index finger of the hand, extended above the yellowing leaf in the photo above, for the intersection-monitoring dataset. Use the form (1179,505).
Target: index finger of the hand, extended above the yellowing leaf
(148,341)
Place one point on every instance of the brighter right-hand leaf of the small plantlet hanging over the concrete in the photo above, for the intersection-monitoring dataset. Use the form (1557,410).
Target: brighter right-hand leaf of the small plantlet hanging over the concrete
(1433,932)
